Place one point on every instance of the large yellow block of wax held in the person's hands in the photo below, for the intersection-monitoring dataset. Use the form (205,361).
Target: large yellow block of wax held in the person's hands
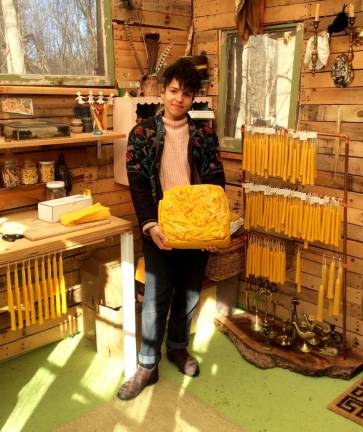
(195,217)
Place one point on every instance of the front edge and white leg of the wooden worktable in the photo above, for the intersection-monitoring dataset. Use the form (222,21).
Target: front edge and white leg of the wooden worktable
(26,249)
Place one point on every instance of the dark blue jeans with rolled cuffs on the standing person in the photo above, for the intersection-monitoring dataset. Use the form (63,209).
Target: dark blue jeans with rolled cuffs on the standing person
(173,281)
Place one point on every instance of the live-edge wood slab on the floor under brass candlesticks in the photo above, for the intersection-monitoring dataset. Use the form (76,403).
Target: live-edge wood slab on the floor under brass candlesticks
(237,328)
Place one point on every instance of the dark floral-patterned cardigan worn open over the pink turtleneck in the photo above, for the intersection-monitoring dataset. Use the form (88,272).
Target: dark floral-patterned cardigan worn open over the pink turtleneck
(144,150)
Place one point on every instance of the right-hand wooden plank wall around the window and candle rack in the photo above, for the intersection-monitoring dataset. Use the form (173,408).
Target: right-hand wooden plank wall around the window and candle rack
(320,106)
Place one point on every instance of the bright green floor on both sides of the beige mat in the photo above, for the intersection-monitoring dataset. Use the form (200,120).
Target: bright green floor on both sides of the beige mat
(49,387)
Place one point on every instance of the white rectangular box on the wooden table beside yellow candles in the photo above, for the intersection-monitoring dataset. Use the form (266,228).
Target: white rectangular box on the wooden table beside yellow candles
(52,210)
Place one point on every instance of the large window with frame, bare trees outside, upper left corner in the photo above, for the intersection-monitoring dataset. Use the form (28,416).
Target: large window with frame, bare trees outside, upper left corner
(56,42)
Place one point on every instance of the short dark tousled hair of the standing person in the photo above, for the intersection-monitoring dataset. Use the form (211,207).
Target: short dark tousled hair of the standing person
(184,71)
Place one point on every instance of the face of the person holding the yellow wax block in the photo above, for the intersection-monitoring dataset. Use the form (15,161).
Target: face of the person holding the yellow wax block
(177,100)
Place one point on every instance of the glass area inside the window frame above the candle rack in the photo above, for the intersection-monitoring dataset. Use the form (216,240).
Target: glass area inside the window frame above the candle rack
(259,81)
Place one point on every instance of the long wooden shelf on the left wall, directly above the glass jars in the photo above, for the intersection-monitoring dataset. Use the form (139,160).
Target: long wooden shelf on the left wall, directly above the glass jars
(73,139)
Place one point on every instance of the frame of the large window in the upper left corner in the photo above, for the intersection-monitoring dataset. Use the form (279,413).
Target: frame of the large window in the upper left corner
(106,80)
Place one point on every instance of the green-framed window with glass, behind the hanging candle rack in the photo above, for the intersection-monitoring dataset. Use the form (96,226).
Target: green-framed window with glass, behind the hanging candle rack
(259,82)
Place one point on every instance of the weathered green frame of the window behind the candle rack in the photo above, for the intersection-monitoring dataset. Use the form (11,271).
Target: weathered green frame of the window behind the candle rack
(234,145)
